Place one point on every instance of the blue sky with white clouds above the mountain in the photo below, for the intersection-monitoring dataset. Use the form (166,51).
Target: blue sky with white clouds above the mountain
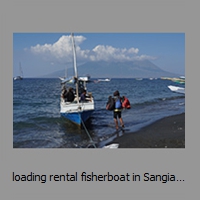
(44,53)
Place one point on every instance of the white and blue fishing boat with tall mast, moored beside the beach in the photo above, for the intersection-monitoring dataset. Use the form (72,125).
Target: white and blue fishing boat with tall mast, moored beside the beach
(77,111)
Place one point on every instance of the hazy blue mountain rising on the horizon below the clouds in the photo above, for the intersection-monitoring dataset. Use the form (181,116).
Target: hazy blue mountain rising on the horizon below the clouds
(143,69)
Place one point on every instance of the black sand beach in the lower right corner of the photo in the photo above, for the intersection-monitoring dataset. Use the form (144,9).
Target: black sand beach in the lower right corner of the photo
(168,132)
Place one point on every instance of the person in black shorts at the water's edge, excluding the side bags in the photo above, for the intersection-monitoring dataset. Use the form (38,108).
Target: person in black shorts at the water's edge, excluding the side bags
(117,112)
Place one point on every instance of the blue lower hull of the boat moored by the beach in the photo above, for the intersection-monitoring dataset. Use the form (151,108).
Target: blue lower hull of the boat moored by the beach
(77,118)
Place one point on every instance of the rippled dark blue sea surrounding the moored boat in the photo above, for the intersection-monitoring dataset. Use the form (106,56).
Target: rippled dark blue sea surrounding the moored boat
(36,111)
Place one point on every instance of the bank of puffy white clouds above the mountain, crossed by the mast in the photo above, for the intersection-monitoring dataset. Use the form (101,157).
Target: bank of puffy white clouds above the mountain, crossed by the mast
(61,51)
